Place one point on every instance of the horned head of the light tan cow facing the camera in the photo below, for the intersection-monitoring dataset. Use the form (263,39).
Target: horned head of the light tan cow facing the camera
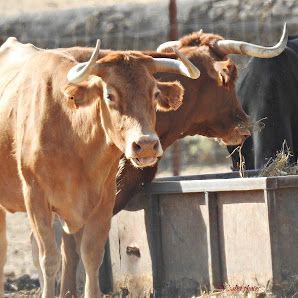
(128,96)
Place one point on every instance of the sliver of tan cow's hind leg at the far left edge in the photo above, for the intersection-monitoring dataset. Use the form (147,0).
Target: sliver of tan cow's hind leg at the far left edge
(3,249)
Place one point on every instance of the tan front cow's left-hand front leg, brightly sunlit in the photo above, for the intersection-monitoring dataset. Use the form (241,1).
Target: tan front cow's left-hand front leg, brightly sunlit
(41,219)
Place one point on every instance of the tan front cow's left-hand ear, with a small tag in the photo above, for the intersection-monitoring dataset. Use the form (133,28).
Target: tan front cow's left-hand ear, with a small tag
(82,94)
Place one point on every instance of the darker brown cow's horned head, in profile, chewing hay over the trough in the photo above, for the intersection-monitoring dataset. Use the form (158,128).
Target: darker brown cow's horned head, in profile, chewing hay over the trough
(214,109)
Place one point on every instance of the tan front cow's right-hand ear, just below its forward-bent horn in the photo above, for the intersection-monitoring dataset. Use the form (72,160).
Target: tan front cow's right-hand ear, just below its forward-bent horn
(171,96)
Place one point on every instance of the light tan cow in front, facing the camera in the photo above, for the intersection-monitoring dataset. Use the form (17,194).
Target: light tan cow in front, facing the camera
(64,127)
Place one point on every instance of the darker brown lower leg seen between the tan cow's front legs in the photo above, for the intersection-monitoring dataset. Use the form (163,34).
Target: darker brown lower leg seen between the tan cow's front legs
(70,260)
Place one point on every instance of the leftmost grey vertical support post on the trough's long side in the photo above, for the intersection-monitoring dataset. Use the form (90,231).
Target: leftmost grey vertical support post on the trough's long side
(155,244)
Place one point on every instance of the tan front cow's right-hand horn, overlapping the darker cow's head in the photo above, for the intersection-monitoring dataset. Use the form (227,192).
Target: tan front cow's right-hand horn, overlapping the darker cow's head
(185,68)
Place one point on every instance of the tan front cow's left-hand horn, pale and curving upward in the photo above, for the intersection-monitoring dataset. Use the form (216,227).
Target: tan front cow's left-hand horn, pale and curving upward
(81,71)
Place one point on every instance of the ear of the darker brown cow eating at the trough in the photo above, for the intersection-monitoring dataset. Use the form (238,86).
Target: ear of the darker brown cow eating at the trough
(226,73)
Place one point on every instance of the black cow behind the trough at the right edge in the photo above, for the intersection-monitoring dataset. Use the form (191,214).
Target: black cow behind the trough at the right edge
(268,88)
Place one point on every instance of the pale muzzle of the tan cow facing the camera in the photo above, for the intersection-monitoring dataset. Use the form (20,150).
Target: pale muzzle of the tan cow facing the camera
(144,151)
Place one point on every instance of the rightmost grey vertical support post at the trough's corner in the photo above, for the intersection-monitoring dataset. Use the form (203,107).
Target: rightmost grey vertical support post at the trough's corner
(270,198)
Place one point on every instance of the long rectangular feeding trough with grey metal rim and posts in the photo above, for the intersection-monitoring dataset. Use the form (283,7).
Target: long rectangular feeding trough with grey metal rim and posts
(185,233)
